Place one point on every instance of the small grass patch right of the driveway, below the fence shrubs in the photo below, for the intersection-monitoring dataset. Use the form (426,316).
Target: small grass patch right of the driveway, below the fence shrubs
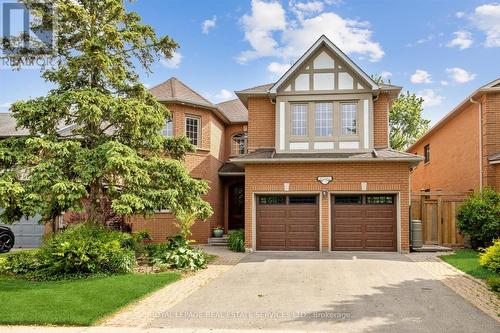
(468,261)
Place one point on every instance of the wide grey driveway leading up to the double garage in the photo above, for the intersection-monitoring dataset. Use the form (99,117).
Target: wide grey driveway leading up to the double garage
(345,292)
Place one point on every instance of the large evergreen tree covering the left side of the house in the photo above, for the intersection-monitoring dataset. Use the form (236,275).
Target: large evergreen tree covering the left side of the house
(111,151)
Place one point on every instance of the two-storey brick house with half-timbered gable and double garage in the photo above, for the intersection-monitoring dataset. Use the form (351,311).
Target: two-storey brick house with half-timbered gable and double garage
(301,164)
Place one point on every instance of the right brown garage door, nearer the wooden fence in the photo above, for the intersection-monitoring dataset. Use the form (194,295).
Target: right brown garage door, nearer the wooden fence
(364,223)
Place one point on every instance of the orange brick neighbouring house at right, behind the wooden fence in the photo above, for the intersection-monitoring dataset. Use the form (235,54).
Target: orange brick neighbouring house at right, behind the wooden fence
(462,151)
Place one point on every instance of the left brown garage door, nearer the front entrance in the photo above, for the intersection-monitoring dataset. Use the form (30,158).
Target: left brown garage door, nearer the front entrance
(287,223)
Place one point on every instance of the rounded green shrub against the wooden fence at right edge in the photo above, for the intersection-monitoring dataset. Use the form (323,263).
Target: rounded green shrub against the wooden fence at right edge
(479,217)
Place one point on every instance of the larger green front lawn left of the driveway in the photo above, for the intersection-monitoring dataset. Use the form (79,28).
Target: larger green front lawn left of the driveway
(74,302)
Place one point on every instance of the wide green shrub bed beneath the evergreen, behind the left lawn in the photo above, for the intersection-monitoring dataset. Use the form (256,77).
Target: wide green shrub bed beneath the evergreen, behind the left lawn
(81,250)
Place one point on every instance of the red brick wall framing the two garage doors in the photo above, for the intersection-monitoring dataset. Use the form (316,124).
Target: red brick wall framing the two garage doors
(390,177)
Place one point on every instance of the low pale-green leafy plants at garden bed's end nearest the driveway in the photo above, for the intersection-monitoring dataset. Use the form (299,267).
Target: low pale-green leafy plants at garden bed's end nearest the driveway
(176,253)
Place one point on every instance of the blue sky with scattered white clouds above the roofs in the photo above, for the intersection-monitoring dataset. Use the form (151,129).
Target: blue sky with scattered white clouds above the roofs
(442,50)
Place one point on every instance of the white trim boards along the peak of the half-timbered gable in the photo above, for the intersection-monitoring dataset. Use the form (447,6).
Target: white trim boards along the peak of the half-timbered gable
(323,40)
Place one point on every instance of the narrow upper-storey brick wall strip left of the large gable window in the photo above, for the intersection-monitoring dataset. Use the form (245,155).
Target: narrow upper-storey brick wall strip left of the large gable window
(261,123)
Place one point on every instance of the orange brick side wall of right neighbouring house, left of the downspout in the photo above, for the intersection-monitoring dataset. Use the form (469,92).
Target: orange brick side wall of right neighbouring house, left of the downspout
(454,155)
